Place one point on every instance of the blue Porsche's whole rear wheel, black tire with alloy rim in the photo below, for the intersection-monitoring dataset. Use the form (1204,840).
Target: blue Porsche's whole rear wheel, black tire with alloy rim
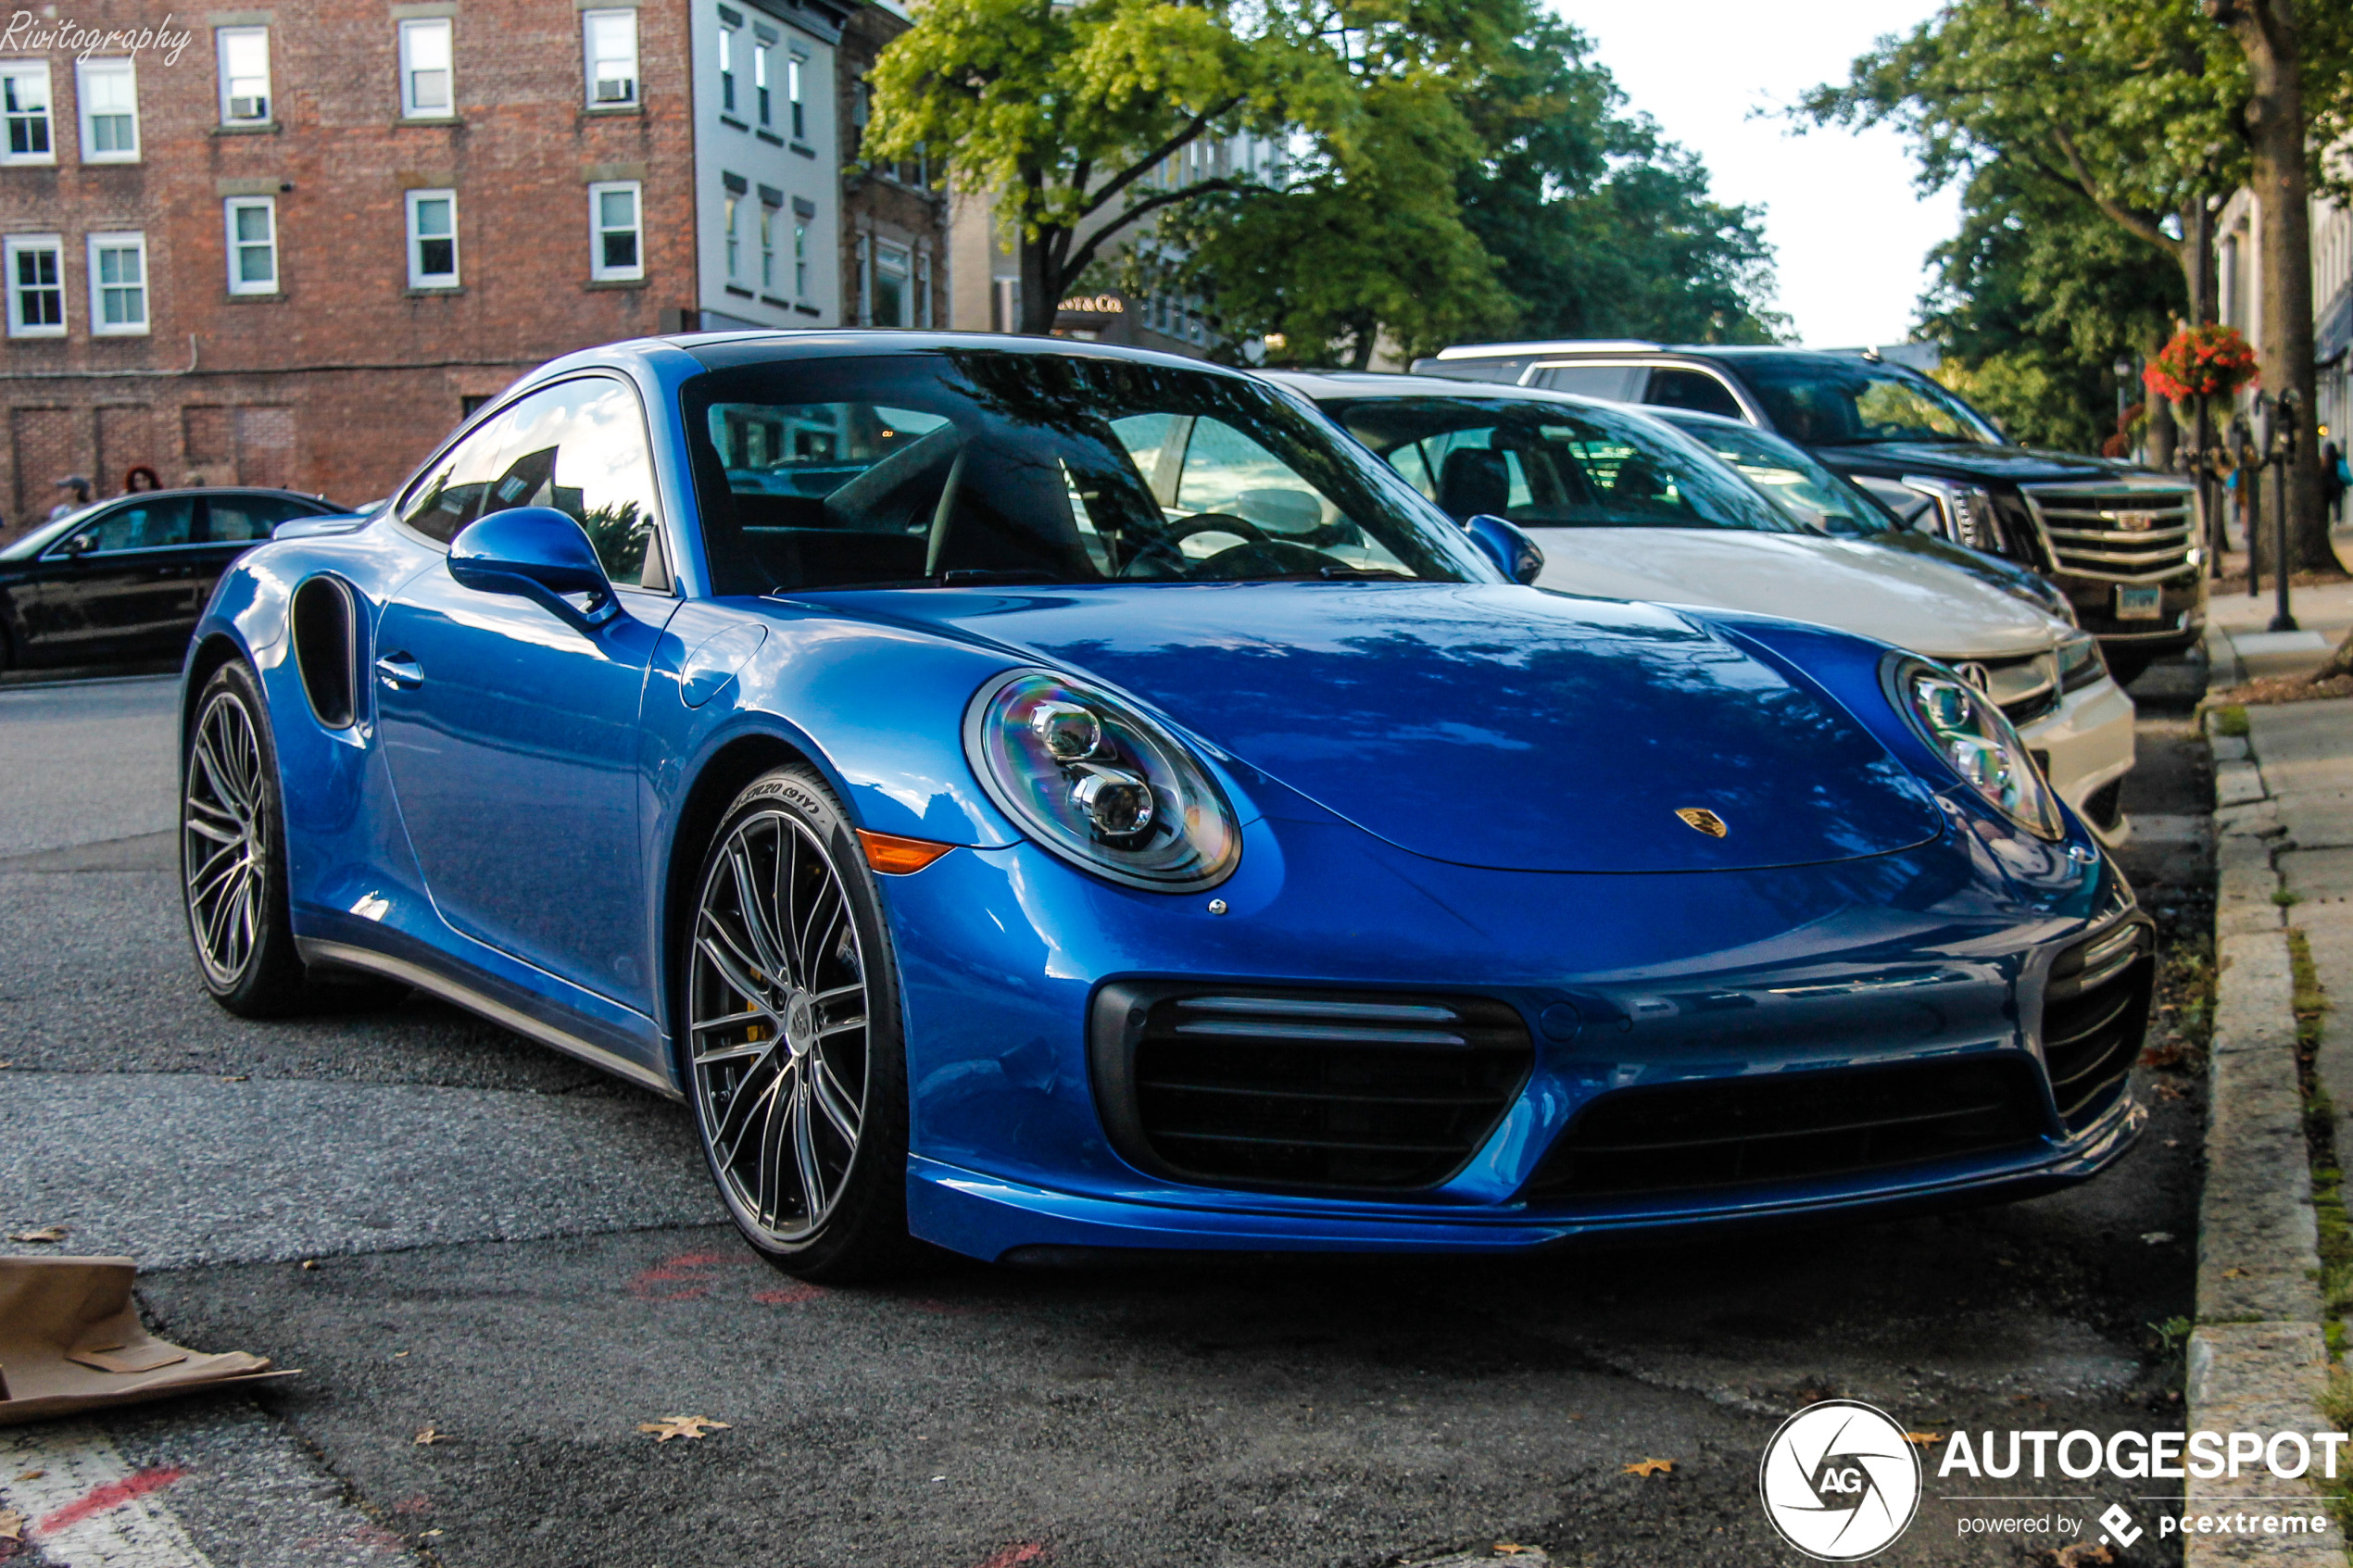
(234,866)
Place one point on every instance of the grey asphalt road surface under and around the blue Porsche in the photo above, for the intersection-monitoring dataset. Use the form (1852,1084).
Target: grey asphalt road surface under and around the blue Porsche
(526,1259)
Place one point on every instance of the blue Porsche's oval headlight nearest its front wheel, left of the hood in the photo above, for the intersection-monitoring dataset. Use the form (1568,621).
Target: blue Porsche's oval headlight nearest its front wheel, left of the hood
(1100,784)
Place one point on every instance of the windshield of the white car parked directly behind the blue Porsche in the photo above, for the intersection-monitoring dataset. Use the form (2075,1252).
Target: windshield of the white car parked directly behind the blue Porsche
(1557,464)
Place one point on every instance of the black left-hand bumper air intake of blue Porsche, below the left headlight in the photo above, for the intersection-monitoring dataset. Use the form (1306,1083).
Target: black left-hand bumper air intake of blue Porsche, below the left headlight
(1364,1092)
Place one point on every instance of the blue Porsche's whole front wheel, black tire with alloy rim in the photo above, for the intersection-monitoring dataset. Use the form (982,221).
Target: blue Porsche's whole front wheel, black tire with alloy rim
(771,1012)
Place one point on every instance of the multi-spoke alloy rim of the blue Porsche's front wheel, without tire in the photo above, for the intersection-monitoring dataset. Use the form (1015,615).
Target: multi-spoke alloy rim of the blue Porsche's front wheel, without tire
(780,1026)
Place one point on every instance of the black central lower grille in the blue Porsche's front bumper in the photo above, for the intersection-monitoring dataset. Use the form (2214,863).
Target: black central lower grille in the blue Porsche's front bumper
(1789,1127)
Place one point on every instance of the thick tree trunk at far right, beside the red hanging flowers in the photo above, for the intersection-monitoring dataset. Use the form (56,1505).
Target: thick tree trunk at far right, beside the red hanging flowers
(2267,34)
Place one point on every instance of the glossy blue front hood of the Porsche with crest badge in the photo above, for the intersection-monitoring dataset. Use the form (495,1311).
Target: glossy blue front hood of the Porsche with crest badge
(1484,725)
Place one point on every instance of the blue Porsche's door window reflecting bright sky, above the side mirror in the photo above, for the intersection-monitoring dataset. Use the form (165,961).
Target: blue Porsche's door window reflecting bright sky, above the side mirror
(580,448)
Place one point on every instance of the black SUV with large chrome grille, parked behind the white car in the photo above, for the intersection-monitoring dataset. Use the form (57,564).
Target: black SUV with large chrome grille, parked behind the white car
(2117,540)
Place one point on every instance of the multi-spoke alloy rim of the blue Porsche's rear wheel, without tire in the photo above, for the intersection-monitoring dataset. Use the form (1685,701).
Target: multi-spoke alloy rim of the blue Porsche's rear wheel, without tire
(222,843)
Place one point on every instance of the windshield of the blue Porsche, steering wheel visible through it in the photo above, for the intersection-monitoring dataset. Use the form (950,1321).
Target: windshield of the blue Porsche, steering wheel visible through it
(987,467)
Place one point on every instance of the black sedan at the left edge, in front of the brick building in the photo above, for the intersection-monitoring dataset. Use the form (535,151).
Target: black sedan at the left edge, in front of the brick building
(126,579)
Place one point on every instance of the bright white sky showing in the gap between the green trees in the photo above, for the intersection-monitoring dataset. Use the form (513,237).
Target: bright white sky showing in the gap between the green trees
(1841,213)
